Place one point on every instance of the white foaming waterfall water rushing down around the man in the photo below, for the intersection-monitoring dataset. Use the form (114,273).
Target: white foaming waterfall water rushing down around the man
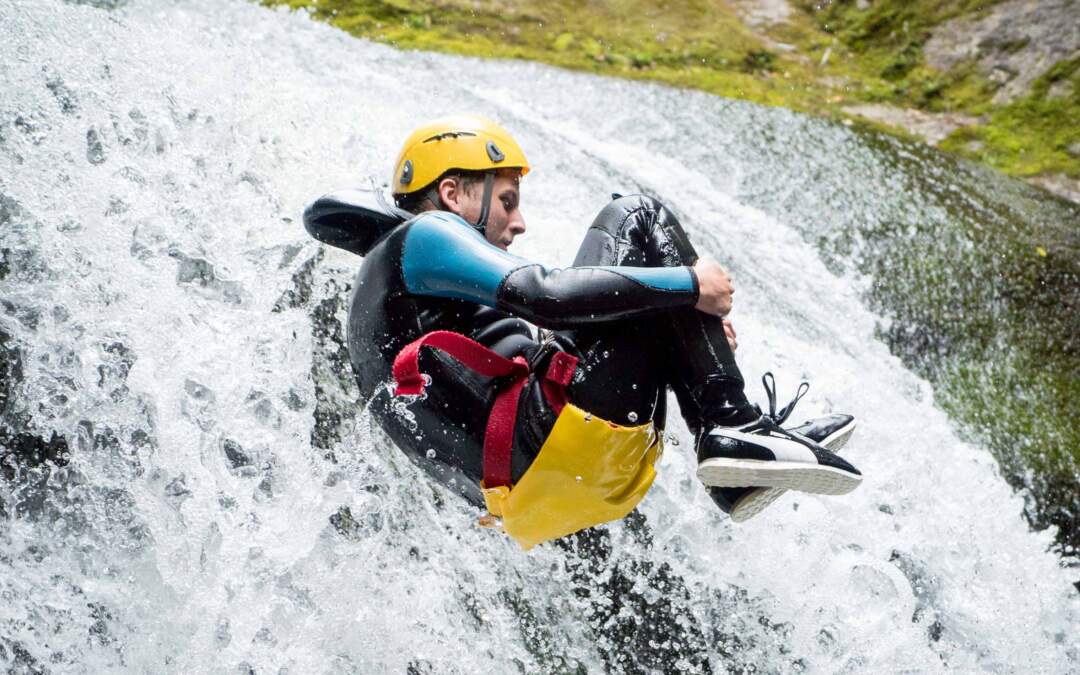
(154,164)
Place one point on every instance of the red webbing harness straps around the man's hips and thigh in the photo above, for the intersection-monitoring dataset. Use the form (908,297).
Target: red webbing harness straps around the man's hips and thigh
(499,435)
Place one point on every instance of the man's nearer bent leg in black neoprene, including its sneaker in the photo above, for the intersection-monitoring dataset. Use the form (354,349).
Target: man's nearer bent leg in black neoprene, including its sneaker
(737,447)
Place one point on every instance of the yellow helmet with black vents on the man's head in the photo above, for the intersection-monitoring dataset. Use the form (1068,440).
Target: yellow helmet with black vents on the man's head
(466,142)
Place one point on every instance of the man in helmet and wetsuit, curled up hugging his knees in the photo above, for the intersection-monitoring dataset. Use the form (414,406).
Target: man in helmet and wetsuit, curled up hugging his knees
(559,429)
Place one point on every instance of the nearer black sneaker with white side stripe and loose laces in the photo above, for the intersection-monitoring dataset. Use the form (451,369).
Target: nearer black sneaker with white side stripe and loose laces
(762,454)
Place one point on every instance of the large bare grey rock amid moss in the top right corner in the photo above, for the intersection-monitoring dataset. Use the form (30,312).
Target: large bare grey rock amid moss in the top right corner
(1012,45)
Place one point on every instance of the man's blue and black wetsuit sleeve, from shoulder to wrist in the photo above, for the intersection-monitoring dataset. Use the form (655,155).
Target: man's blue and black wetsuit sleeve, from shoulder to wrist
(444,256)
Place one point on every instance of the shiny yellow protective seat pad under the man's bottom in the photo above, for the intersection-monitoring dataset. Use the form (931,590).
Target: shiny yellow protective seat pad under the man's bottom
(588,472)
